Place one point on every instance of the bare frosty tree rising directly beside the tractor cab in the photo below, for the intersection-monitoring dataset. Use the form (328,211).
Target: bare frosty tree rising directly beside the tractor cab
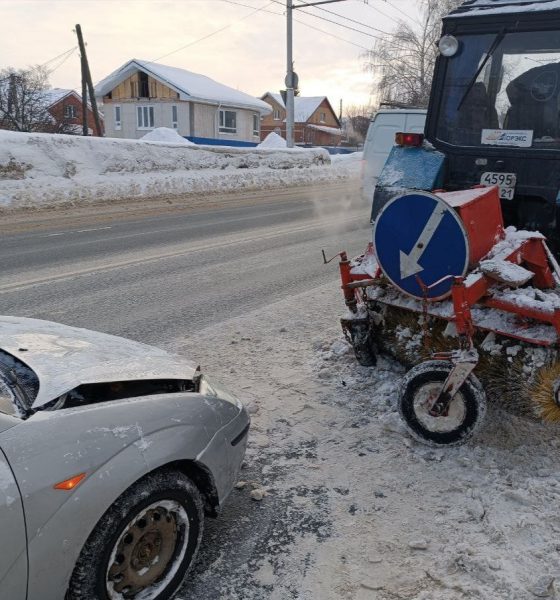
(403,62)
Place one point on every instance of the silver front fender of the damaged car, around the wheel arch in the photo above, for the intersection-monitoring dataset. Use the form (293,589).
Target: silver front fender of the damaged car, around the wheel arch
(160,431)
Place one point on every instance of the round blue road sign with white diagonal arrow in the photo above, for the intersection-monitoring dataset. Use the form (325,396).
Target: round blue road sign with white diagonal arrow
(419,240)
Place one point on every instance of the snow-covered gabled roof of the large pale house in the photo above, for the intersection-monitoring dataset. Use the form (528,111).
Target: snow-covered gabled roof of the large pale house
(190,86)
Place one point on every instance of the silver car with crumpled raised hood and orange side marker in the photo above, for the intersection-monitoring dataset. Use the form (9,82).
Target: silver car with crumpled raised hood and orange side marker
(111,454)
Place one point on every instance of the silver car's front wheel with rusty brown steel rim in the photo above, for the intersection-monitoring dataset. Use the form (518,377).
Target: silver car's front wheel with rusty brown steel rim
(148,537)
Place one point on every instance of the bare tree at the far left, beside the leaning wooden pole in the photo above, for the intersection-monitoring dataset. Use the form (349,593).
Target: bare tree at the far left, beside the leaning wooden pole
(23,101)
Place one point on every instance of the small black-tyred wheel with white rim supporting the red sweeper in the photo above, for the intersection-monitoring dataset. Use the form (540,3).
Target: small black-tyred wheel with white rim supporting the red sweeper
(419,390)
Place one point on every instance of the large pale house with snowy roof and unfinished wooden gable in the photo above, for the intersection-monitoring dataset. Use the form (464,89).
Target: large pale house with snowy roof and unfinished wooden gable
(142,95)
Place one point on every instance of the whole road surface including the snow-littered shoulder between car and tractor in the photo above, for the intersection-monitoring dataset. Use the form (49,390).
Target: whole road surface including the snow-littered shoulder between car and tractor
(355,510)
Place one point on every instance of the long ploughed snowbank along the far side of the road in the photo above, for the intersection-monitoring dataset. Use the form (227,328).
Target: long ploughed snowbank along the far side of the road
(42,170)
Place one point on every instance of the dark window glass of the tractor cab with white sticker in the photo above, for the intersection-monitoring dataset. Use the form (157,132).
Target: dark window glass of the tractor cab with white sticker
(514,100)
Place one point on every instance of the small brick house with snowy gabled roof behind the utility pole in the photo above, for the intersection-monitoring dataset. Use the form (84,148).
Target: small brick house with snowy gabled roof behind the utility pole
(315,122)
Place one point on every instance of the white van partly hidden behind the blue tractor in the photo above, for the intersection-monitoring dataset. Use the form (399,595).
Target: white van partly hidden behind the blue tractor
(381,138)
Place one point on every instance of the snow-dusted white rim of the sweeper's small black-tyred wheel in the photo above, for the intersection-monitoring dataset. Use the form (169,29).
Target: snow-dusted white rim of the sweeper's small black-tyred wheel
(425,397)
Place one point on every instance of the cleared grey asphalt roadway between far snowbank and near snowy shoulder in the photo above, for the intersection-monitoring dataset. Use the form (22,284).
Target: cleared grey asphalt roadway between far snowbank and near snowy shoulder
(162,275)
